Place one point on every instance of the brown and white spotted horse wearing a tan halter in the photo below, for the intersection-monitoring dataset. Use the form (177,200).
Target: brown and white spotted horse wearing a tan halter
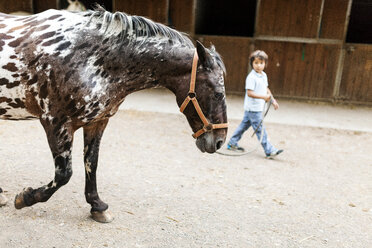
(73,70)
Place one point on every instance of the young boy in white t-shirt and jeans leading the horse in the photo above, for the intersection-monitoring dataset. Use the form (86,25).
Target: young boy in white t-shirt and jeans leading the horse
(257,94)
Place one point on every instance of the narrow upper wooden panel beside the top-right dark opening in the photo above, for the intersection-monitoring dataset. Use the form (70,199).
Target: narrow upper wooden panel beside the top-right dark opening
(333,19)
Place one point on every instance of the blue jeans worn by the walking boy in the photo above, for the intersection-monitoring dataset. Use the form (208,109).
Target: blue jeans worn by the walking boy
(252,119)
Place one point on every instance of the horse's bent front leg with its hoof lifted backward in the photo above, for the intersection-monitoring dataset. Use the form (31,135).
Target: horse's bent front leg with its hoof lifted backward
(60,137)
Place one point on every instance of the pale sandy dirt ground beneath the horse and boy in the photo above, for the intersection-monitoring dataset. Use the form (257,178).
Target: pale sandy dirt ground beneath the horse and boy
(165,193)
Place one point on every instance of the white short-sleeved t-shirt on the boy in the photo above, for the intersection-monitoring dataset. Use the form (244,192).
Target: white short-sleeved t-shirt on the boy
(258,83)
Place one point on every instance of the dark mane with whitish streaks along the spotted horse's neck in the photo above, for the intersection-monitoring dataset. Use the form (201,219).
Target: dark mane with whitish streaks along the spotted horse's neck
(135,27)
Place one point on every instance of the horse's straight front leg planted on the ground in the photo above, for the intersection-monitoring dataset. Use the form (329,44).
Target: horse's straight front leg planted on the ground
(92,139)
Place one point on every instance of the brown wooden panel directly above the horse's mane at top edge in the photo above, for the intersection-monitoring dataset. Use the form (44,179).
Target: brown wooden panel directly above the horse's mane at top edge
(157,10)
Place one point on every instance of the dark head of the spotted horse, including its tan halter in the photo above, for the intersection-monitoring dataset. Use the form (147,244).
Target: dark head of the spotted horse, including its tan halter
(205,106)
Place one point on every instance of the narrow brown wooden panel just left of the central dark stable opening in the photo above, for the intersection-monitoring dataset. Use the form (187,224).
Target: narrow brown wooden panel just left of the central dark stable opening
(181,15)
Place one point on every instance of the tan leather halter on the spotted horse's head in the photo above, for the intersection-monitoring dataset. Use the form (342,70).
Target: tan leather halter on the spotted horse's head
(208,127)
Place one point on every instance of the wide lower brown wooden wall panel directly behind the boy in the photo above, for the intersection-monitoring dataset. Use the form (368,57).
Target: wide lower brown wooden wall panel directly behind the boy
(295,70)
